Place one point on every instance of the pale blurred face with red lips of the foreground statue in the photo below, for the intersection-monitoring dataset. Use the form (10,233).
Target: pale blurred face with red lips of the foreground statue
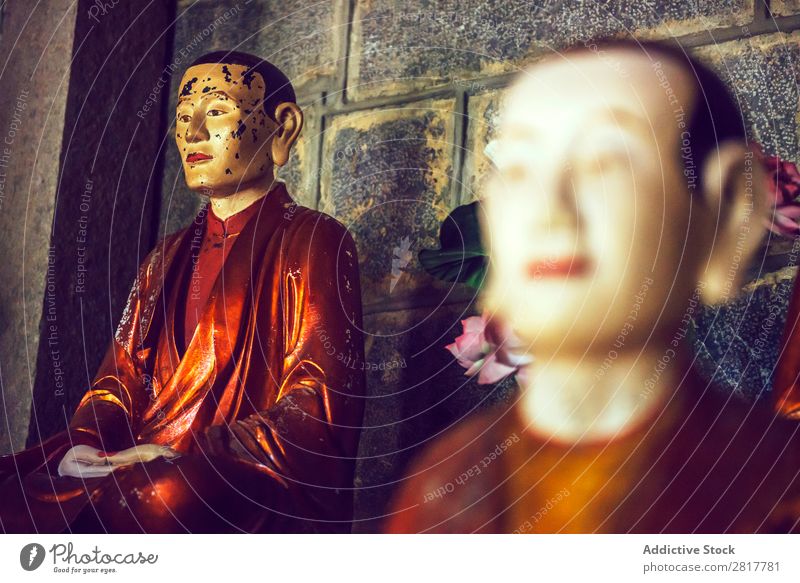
(587,215)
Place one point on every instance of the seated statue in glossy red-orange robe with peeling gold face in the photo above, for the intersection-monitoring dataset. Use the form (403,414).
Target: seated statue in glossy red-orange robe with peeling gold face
(224,402)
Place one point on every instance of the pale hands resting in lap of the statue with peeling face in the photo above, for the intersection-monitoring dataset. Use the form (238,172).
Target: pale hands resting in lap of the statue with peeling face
(84,461)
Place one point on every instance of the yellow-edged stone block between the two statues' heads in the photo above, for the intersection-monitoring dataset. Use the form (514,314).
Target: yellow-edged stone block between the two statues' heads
(386,174)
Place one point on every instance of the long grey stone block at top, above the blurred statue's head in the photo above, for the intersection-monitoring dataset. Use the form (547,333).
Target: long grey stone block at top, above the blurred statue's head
(397,48)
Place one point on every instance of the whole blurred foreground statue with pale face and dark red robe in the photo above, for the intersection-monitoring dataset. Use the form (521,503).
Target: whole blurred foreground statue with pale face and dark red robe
(622,195)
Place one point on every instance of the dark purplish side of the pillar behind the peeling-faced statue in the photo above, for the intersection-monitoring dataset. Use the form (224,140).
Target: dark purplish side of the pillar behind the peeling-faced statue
(106,201)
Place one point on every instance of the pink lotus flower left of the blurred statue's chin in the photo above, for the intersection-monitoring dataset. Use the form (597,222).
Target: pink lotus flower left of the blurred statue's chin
(489,349)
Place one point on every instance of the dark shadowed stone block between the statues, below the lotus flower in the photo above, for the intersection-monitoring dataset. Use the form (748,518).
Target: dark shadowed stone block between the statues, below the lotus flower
(420,393)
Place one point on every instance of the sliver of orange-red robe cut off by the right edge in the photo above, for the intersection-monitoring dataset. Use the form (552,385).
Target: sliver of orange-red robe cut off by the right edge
(786,385)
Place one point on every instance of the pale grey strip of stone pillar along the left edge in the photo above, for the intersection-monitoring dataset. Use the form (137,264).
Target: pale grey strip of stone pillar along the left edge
(32,102)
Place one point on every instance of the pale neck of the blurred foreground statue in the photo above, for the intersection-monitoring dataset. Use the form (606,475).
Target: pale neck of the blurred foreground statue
(586,397)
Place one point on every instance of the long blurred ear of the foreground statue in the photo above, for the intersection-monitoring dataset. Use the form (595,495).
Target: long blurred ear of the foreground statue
(734,195)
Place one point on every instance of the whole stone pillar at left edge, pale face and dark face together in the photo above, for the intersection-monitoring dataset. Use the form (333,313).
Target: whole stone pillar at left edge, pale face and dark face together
(80,173)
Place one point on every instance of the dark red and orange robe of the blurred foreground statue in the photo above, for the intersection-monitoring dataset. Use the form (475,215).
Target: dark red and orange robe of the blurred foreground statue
(706,462)
